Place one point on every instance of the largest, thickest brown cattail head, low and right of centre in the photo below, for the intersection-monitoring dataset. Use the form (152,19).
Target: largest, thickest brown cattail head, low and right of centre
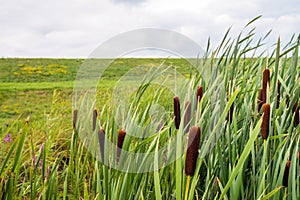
(192,150)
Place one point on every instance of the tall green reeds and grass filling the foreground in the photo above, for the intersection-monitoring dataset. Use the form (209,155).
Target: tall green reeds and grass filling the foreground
(232,162)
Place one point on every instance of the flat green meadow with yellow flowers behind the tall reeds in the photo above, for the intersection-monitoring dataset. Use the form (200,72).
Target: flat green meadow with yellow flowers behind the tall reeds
(27,85)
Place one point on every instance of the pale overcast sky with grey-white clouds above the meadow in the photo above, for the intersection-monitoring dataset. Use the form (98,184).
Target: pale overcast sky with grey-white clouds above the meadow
(74,28)
